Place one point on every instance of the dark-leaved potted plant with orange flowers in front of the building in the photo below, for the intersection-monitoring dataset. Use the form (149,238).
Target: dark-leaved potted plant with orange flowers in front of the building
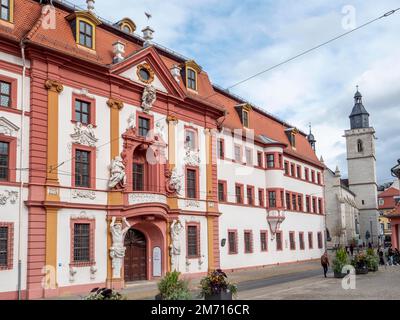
(216,286)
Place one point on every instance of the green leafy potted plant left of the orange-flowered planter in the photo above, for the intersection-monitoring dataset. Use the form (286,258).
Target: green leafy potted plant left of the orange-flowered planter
(171,287)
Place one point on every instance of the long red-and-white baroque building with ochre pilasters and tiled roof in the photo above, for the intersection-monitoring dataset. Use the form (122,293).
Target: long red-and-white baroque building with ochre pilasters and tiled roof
(120,161)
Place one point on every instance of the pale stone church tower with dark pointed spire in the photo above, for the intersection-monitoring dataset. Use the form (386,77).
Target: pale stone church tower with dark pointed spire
(361,160)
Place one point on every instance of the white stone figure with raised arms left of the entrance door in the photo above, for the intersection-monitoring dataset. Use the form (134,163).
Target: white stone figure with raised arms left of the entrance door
(117,250)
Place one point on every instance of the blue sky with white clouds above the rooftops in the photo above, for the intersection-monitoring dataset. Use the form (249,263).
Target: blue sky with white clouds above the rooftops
(234,39)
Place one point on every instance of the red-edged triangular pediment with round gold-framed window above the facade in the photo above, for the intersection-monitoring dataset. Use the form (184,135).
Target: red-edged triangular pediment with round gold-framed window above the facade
(147,62)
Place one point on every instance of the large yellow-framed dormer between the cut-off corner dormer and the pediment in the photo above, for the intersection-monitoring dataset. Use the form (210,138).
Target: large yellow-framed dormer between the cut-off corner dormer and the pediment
(83,25)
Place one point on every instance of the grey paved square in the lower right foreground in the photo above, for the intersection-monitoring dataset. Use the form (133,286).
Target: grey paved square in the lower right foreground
(381,285)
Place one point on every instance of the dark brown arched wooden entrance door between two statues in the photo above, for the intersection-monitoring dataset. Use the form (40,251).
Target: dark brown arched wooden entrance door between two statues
(135,267)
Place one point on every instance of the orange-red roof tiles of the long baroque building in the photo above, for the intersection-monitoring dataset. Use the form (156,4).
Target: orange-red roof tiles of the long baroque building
(28,24)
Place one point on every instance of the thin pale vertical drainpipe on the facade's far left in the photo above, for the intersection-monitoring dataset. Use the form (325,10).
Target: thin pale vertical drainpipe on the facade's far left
(21,185)
